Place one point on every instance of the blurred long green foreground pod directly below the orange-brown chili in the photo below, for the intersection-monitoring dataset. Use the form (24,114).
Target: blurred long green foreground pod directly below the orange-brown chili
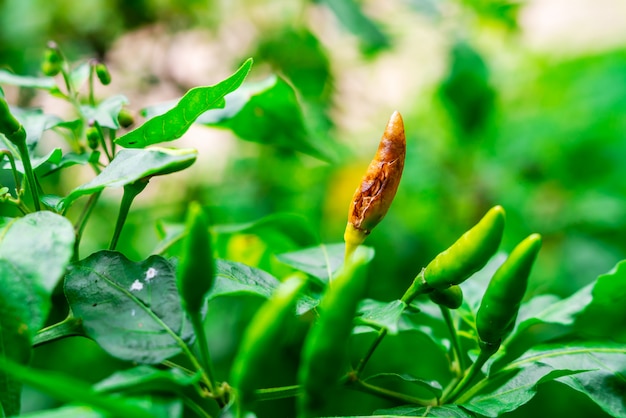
(324,353)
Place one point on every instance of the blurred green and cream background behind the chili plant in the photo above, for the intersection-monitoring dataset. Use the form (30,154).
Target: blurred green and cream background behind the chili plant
(516,103)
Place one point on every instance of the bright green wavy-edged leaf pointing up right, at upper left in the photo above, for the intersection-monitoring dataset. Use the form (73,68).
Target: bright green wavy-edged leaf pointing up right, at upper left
(175,122)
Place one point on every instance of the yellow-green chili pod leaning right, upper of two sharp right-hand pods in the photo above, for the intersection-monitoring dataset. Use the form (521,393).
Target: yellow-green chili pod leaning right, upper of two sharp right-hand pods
(468,254)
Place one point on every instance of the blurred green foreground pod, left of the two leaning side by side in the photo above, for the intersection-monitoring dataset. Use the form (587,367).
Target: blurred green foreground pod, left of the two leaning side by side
(263,337)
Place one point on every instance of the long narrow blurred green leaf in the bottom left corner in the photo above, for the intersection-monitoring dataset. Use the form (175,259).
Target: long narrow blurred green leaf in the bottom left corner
(68,389)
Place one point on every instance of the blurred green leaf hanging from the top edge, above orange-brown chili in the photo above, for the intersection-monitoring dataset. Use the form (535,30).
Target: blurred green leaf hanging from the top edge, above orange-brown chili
(350,15)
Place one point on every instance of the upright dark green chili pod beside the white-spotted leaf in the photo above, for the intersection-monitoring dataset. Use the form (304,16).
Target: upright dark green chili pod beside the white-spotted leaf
(196,267)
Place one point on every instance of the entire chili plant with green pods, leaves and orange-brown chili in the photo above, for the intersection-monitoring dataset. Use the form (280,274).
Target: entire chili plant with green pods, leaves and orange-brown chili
(153,313)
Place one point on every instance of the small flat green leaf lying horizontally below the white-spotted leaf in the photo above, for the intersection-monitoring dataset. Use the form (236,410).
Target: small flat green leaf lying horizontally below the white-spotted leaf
(145,379)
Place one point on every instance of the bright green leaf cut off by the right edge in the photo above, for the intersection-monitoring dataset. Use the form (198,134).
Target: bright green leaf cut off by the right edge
(604,316)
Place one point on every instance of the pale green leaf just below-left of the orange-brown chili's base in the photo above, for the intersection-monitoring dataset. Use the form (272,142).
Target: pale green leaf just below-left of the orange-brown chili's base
(321,261)
